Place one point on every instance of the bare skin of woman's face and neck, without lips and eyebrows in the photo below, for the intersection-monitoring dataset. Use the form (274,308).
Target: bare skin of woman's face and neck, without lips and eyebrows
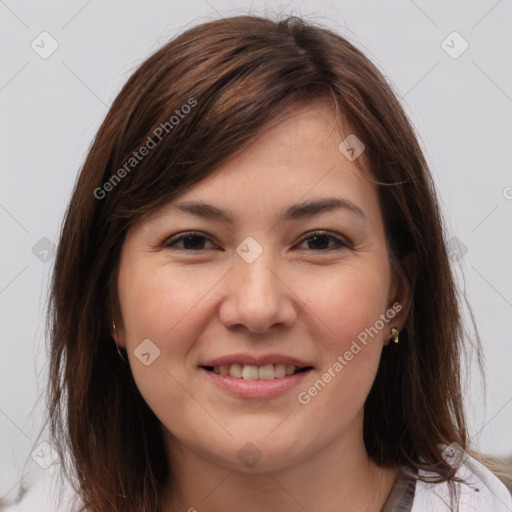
(302,298)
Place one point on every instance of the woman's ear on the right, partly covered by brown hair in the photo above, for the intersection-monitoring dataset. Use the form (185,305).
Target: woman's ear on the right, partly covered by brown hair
(401,291)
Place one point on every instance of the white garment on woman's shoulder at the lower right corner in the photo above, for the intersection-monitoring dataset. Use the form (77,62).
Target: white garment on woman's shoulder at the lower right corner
(482,491)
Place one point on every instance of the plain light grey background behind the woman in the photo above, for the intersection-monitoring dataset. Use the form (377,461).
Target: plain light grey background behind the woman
(51,109)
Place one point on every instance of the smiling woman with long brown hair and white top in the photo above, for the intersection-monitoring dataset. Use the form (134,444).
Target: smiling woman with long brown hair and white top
(208,353)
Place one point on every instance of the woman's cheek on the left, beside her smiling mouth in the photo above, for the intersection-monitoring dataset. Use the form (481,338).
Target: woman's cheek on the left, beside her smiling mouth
(164,305)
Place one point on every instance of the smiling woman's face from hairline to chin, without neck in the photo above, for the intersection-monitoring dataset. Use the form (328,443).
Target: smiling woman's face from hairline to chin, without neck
(258,283)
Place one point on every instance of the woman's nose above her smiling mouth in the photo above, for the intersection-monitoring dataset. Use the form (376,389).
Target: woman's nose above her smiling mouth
(257,297)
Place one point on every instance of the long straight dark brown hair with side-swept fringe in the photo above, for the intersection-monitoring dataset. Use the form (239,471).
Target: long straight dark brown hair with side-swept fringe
(237,75)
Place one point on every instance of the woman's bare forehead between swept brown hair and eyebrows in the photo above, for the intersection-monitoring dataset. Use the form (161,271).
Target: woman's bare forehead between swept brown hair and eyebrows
(293,160)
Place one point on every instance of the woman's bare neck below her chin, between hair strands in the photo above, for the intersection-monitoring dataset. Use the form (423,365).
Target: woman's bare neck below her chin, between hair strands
(338,477)
